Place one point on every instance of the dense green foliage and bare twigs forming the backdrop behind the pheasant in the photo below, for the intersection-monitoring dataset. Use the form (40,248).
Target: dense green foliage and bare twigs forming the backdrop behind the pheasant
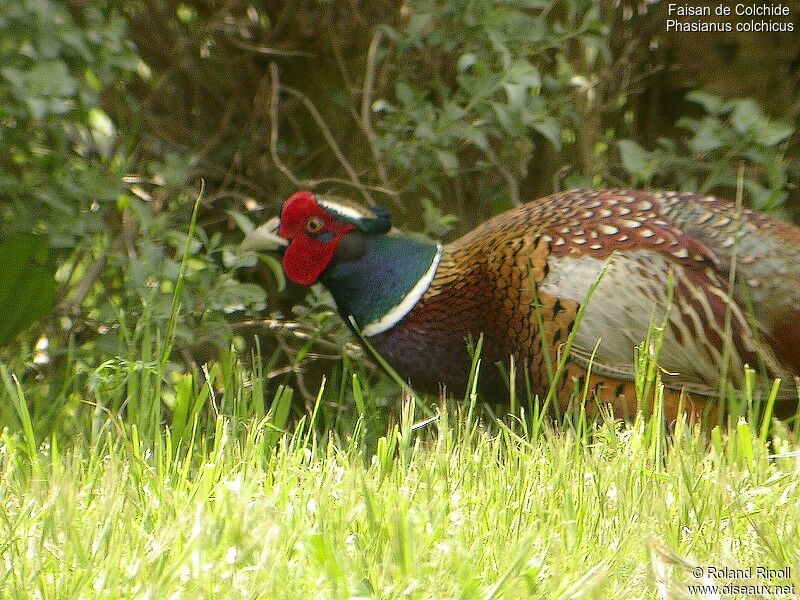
(112,113)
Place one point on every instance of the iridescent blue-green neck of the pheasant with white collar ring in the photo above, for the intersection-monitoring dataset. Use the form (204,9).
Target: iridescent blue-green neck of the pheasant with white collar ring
(385,282)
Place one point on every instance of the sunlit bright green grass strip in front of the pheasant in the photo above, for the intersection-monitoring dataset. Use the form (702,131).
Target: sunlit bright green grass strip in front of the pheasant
(449,507)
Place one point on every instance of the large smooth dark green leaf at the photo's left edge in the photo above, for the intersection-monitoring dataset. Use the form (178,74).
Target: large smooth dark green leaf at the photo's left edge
(28,286)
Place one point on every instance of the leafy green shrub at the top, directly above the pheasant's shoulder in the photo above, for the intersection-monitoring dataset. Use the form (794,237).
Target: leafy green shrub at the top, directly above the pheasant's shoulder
(481,88)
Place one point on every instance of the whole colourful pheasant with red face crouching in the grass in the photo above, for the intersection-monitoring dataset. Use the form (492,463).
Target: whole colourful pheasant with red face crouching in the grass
(699,267)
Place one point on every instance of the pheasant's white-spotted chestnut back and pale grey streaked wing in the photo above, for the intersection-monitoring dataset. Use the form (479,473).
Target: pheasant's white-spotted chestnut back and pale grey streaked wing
(669,264)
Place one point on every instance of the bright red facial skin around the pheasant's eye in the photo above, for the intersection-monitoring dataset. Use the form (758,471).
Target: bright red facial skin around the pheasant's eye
(308,255)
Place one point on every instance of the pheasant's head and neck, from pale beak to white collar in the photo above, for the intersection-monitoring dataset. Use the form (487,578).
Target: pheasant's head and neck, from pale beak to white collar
(375,273)
